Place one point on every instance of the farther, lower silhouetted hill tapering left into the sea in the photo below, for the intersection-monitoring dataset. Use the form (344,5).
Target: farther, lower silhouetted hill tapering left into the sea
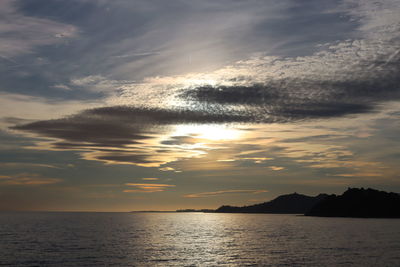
(292,203)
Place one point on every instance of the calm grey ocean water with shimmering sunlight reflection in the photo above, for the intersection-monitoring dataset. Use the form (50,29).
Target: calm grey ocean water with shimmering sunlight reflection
(195,239)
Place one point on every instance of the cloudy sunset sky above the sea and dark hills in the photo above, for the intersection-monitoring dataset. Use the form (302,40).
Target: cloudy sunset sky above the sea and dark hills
(162,105)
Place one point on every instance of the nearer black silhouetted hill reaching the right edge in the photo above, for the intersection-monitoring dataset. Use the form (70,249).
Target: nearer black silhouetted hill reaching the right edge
(363,203)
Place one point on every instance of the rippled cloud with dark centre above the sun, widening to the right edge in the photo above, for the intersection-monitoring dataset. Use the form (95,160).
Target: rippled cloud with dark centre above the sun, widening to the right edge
(348,78)
